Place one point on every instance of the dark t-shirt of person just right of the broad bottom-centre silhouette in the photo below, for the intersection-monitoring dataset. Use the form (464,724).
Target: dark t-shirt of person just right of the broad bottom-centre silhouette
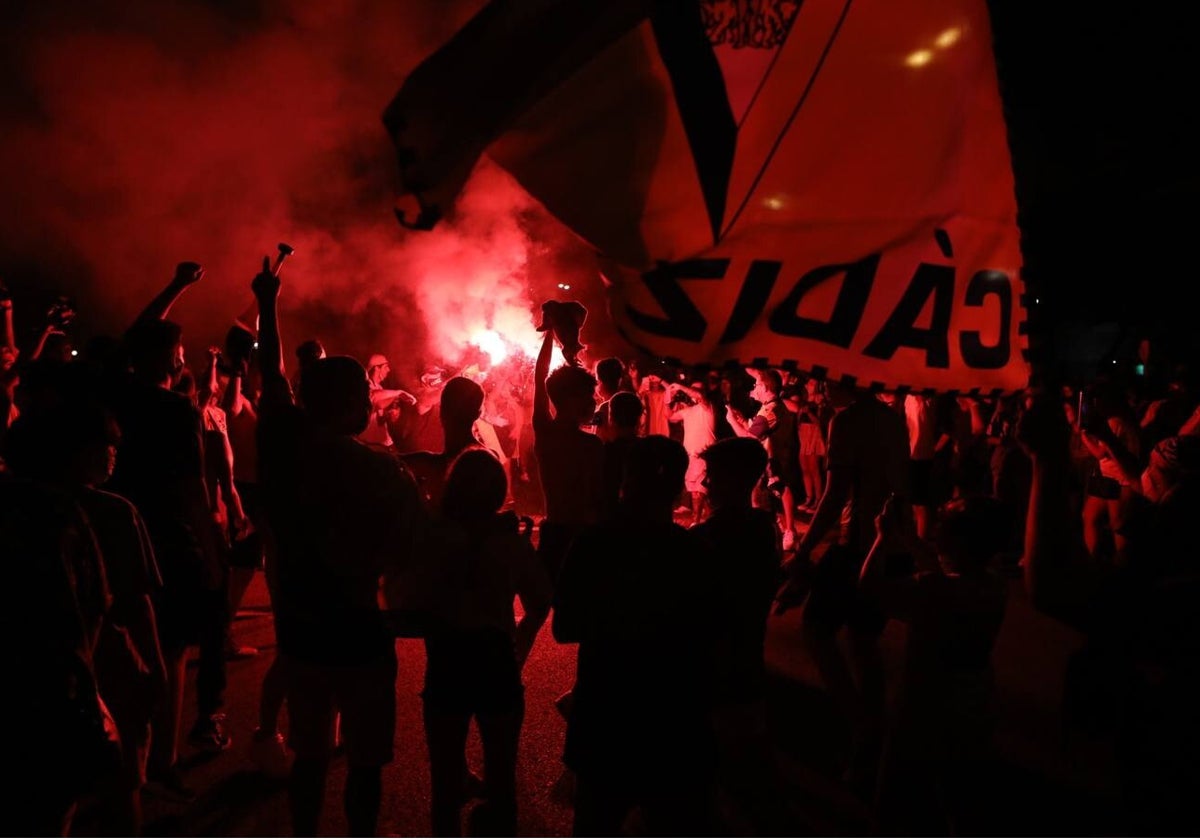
(747,557)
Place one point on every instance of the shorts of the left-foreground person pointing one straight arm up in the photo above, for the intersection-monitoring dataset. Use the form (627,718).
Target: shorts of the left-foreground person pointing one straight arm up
(365,695)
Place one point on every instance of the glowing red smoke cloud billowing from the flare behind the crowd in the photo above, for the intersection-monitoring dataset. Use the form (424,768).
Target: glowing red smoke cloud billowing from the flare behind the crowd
(147,134)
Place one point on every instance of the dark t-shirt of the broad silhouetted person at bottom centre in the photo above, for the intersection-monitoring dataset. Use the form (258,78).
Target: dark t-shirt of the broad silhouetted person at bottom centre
(640,599)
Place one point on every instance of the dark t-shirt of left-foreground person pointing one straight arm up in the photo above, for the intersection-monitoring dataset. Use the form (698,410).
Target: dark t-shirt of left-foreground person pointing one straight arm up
(339,515)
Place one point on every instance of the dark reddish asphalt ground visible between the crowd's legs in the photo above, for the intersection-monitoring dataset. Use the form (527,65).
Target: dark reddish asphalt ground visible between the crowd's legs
(1049,781)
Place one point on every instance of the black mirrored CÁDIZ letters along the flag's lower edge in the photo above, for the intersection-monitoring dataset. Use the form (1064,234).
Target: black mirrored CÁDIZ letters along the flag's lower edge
(685,321)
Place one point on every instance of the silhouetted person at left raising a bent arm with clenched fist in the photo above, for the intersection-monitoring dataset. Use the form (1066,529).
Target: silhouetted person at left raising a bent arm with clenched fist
(160,469)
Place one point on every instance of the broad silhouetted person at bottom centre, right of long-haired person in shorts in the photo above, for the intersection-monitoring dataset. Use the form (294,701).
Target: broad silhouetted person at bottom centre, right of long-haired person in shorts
(638,595)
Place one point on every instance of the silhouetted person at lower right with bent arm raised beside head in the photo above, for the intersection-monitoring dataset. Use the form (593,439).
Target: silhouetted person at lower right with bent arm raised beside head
(934,776)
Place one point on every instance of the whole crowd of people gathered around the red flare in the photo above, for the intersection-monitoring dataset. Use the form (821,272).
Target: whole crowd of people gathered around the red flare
(656,517)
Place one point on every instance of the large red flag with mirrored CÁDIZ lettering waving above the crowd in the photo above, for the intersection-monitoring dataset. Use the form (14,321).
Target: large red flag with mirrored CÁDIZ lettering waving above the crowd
(814,184)
